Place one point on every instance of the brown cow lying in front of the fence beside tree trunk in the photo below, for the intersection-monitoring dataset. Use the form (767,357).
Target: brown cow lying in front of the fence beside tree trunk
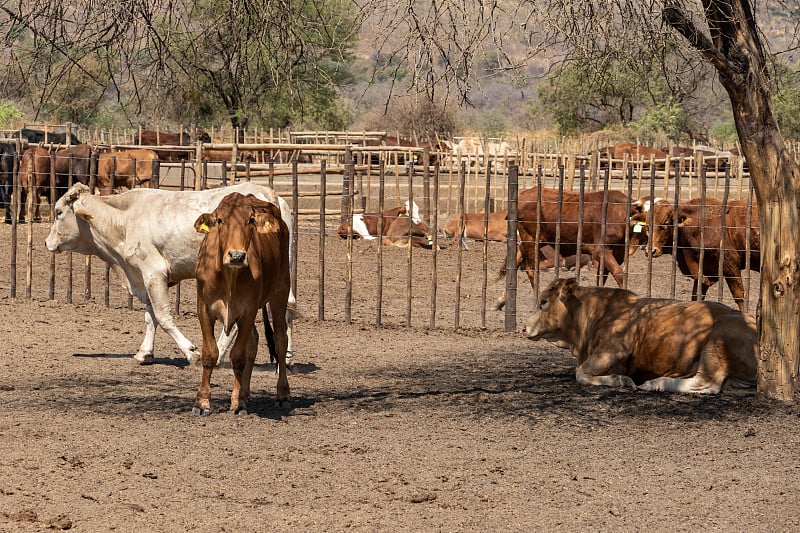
(622,340)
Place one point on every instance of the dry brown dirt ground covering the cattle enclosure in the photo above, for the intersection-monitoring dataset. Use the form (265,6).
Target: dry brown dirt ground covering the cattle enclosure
(390,428)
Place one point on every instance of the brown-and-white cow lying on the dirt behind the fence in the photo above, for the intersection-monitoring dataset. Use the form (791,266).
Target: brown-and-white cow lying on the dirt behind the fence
(398,227)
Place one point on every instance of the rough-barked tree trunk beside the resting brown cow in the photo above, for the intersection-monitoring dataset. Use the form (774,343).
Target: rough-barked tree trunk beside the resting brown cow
(736,52)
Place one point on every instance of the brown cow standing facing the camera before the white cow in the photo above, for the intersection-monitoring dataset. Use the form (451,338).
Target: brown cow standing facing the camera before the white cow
(242,266)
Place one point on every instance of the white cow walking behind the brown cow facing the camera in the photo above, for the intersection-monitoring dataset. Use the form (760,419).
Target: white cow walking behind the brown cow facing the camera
(148,238)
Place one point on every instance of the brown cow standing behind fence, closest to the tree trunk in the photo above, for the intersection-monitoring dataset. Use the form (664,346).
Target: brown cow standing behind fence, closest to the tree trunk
(690,215)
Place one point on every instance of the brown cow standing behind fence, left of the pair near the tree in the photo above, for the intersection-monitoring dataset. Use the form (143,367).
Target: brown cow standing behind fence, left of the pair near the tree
(607,245)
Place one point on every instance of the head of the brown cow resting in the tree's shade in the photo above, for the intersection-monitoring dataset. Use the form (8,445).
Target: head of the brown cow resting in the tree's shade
(551,320)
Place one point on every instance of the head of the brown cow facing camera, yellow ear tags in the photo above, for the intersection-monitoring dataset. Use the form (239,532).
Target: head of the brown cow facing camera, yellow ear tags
(233,224)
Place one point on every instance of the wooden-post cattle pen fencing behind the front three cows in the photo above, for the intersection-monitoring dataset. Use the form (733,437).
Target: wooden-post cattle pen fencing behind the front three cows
(359,281)
